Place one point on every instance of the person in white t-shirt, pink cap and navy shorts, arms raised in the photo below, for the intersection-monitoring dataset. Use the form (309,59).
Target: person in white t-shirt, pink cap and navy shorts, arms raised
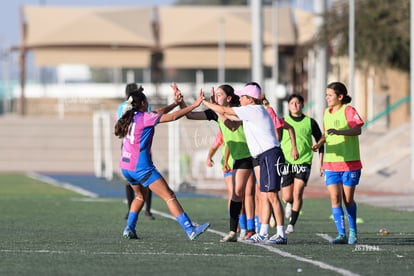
(263,145)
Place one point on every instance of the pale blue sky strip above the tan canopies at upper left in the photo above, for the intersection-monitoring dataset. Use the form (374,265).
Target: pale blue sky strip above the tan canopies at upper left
(10,18)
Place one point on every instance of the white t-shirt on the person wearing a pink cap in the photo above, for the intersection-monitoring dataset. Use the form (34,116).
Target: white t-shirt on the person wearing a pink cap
(258,128)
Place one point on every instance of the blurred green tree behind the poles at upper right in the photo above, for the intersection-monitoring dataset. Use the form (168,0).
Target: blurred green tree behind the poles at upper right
(382,36)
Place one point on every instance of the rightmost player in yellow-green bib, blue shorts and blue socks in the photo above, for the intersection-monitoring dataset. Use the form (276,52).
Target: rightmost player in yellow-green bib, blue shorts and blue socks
(342,165)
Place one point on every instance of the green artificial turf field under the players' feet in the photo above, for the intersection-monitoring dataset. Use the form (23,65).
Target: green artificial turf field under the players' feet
(45,230)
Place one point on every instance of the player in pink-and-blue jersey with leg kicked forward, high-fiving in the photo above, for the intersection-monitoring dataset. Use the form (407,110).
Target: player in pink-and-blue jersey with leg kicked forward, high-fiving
(136,127)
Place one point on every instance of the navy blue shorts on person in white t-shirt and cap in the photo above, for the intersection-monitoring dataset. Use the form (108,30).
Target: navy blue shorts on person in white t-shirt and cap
(271,167)
